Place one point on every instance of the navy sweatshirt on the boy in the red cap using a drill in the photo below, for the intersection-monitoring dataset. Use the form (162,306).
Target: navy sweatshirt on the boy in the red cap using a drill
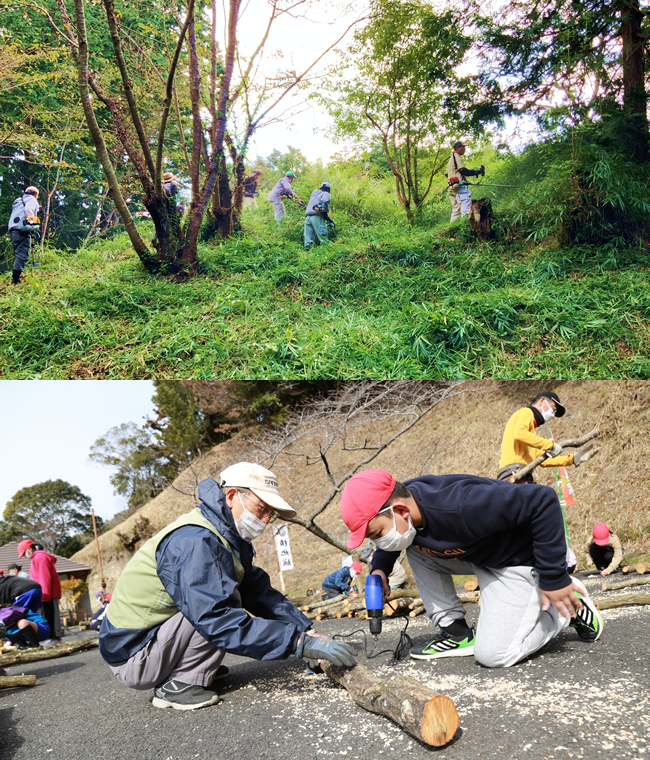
(489,523)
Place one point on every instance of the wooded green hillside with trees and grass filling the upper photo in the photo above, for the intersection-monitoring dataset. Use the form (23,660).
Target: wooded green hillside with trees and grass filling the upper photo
(136,125)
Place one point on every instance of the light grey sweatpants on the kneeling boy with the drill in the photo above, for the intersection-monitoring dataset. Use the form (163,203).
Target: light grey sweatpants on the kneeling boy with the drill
(511,622)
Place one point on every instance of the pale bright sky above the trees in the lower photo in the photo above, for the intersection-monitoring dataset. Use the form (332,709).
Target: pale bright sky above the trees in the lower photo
(49,426)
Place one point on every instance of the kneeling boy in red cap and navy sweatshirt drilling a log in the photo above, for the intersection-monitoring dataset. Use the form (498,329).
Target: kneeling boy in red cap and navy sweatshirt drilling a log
(511,538)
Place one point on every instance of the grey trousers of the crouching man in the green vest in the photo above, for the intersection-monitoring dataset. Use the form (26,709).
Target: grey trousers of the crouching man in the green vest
(176,651)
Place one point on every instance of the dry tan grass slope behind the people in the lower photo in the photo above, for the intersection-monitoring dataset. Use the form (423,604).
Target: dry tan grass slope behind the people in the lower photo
(462,435)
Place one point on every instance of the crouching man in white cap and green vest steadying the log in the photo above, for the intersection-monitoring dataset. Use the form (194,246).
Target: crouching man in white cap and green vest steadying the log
(182,602)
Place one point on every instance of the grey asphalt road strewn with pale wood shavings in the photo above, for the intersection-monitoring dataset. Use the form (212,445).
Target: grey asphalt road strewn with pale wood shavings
(572,700)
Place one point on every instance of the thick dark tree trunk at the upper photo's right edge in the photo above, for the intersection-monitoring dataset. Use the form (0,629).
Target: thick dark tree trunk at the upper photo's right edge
(635,98)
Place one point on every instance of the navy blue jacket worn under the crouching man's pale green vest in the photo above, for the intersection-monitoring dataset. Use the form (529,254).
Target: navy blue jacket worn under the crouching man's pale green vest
(198,573)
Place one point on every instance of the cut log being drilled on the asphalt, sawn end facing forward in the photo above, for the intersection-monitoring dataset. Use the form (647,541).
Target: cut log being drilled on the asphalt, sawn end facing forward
(430,717)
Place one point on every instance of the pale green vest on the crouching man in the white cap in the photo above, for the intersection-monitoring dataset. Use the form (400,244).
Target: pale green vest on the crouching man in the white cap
(140,599)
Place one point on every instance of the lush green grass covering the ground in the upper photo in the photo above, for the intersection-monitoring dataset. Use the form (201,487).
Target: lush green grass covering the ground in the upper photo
(383,300)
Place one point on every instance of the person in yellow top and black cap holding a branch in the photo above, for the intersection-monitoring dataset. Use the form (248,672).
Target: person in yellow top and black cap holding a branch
(521,445)
